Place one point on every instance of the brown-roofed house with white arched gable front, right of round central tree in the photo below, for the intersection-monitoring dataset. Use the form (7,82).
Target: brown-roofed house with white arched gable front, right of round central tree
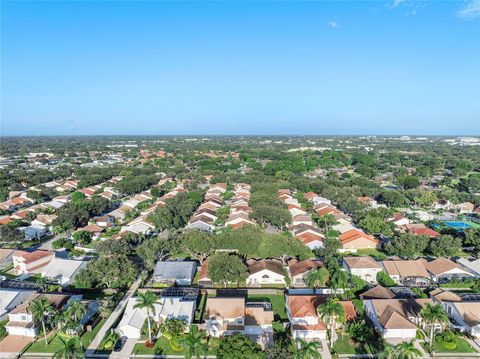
(265,272)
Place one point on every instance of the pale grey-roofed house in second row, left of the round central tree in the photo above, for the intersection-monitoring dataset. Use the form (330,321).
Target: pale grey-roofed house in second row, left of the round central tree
(175,272)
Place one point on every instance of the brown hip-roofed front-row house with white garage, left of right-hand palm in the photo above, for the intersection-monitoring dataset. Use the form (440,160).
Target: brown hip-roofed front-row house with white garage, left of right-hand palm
(396,319)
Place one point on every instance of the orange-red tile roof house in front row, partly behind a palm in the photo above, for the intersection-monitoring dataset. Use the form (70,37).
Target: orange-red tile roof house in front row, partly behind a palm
(305,322)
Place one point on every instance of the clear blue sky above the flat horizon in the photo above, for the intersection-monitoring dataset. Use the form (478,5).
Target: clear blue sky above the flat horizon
(397,67)
